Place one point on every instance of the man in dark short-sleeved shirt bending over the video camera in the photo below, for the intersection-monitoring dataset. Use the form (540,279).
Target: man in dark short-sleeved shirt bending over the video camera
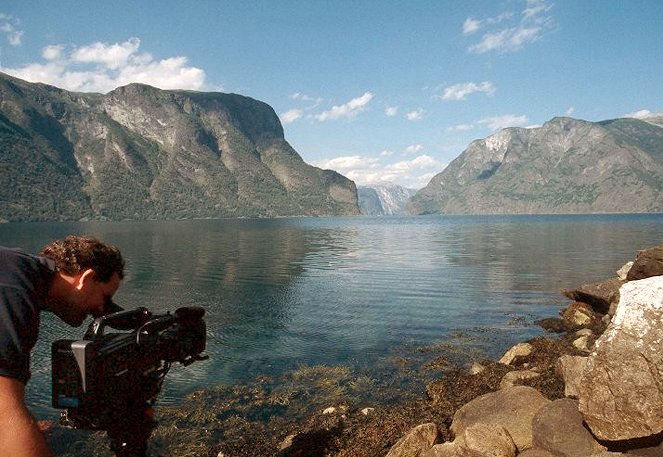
(72,278)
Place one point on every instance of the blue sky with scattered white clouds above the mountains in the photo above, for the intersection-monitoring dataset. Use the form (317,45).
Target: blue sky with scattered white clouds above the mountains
(381,91)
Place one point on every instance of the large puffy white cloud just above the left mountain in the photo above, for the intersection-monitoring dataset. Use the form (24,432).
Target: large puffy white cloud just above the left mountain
(101,67)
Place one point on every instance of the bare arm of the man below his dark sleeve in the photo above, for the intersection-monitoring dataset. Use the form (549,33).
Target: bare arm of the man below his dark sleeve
(19,434)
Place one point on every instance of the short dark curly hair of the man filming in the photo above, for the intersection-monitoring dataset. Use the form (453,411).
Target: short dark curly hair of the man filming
(75,254)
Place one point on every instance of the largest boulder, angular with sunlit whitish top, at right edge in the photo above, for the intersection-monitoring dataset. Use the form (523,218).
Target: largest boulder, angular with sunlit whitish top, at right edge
(621,389)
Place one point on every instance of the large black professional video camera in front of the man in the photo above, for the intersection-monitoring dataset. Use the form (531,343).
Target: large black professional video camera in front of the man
(98,379)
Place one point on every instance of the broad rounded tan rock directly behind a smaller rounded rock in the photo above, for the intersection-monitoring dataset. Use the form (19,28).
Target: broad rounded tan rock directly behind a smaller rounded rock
(512,408)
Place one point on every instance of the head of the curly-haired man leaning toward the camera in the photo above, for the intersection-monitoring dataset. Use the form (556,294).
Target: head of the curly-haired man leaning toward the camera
(89,273)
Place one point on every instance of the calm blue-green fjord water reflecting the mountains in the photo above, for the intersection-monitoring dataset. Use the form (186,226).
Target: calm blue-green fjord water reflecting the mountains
(286,293)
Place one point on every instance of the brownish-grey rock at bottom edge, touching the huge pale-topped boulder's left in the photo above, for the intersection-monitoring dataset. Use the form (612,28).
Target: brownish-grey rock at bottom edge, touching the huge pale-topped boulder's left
(558,428)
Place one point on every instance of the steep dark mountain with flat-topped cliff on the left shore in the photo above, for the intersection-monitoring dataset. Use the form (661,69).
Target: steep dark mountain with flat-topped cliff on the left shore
(143,153)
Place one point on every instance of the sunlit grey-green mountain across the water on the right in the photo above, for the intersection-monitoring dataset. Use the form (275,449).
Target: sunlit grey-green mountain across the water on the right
(565,166)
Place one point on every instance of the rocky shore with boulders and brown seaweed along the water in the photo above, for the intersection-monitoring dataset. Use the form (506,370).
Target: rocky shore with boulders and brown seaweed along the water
(591,386)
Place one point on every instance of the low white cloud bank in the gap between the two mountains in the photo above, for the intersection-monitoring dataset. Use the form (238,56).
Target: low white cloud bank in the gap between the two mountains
(415,173)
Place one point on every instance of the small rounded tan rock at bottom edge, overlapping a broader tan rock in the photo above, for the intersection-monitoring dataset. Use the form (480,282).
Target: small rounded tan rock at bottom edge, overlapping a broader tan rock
(489,440)
